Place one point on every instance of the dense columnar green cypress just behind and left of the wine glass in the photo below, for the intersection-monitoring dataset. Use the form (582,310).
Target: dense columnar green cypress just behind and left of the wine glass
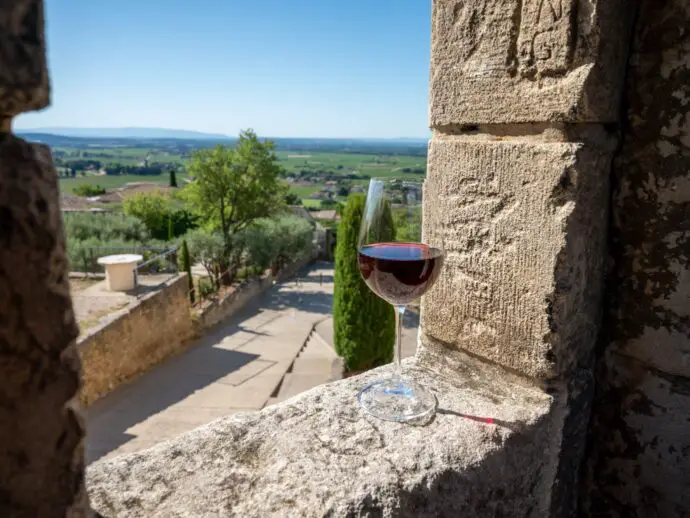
(364,324)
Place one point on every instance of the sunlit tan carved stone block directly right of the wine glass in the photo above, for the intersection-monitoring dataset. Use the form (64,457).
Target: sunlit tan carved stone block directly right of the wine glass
(523,227)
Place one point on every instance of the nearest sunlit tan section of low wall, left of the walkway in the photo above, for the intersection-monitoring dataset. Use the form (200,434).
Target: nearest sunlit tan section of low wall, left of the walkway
(131,341)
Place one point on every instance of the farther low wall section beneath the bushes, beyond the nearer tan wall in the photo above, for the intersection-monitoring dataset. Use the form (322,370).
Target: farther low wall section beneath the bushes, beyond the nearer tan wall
(220,310)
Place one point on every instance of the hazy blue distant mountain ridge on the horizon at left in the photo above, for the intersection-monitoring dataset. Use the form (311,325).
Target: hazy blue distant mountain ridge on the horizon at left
(136,133)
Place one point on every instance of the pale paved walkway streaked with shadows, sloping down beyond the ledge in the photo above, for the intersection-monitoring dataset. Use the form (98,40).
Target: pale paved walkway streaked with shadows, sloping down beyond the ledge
(238,366)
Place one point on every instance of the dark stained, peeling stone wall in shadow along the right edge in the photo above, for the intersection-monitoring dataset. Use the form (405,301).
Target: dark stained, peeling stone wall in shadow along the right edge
(639,463)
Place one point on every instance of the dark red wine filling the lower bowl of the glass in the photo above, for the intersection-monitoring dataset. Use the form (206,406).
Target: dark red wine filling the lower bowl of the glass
(399,272)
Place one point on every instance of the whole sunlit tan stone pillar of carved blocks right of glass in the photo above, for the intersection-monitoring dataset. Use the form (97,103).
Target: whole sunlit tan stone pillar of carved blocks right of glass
(524,105)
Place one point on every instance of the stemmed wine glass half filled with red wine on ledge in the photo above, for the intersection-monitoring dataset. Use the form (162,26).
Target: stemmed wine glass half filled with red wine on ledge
(399,268)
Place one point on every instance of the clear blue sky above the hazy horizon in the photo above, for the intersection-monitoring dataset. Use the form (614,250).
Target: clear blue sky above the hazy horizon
(287,68)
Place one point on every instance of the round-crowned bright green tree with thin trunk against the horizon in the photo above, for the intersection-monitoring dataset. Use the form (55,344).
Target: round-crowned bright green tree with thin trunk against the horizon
(235,186)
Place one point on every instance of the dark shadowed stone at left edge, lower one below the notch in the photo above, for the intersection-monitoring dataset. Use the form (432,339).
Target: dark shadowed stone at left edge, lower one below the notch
(41,451)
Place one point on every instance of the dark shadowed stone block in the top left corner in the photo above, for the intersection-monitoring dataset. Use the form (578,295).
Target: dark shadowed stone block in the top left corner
(24,83)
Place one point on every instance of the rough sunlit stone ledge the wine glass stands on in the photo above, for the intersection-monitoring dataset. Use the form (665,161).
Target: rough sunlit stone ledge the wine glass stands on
(492,450)
